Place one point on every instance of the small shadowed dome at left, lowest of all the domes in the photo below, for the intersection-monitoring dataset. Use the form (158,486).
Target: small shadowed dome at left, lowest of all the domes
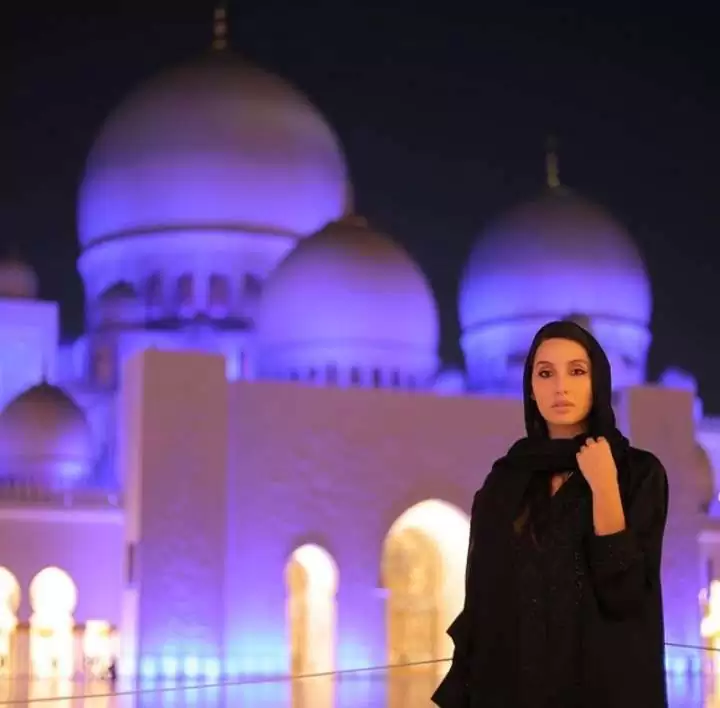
(45,438)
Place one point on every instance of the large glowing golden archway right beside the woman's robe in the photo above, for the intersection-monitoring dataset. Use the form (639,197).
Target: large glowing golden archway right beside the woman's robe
(423,571)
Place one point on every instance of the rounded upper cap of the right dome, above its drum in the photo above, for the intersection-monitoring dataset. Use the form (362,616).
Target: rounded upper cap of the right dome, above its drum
(553,256)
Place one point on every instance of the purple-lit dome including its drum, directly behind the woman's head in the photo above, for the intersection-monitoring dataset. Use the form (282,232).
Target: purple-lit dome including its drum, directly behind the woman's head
(558,256)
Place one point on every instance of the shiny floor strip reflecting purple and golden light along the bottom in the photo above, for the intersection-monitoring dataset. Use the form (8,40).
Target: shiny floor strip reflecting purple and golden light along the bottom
(392,688)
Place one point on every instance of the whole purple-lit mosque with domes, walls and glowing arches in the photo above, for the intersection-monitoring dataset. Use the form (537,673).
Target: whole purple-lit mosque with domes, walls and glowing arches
(252,461)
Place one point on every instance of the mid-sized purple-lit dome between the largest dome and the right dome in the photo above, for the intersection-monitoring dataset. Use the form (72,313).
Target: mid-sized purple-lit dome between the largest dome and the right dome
(349,298)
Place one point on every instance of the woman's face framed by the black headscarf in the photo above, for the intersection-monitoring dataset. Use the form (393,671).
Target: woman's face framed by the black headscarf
(562,386)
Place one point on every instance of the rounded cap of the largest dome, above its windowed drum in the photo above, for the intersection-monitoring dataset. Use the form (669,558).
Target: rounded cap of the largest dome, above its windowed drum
(218,144)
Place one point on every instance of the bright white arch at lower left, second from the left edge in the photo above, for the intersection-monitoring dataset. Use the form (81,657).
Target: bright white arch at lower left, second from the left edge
(53,597)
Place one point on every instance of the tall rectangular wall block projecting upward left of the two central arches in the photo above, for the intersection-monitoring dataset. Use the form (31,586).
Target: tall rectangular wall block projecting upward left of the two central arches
(173,437)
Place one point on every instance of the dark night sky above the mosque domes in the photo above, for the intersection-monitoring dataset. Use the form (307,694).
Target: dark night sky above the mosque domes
(443,114)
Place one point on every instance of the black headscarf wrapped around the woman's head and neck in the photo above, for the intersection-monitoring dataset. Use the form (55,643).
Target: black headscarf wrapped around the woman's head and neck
(537,450)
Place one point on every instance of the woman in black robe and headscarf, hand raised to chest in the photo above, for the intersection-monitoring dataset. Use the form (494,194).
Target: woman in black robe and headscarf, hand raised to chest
(563,603)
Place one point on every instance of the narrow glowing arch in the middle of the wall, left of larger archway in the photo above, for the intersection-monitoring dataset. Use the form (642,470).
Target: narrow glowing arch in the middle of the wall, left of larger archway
(312,580)
